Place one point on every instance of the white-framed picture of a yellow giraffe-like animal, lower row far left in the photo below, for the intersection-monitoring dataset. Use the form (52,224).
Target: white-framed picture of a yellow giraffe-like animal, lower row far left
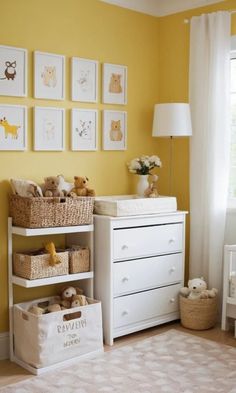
(13,127)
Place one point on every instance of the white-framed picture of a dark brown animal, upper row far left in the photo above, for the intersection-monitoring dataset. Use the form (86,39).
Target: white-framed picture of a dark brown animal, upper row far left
(13,71)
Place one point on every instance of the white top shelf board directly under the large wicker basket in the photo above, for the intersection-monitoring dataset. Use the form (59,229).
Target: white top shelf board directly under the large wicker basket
(51,231)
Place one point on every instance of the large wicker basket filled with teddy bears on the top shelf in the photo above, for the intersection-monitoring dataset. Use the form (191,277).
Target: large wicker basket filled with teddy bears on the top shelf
(50,212)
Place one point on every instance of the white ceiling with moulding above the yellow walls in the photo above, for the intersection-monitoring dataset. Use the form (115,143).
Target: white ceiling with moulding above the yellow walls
(161,7)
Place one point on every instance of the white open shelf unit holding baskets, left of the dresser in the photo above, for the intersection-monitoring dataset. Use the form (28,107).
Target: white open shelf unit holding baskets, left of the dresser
(82,235)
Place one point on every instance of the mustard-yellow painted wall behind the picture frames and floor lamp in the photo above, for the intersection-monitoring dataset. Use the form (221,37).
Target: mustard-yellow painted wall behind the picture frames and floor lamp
(156,53)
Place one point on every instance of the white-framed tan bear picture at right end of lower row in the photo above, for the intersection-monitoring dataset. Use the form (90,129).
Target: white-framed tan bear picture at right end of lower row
(114,130)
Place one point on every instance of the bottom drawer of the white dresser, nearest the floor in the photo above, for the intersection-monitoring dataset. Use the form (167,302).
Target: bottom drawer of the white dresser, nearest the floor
(145,305)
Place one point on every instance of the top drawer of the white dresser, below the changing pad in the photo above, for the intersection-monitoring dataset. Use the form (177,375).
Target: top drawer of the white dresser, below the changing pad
(144,241)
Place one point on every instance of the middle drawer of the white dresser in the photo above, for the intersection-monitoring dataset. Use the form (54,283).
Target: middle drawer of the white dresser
(141,274)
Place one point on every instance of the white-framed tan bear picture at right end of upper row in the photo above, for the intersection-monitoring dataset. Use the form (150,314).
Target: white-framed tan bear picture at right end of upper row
(114,89)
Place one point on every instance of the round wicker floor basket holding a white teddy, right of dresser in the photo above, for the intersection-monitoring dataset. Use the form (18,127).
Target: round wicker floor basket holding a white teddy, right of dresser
(198,314)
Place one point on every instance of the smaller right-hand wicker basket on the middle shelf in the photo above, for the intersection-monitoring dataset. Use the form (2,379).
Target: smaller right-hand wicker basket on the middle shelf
(78,259)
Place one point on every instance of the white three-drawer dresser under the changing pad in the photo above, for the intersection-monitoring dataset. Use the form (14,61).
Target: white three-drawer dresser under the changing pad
(139,269)
